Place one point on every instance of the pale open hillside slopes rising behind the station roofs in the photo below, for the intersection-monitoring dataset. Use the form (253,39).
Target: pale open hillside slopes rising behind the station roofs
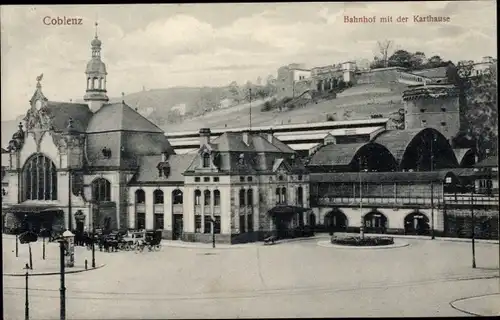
(359,102)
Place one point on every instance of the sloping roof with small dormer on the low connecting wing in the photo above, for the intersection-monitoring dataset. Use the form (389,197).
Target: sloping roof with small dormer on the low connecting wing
(148,172)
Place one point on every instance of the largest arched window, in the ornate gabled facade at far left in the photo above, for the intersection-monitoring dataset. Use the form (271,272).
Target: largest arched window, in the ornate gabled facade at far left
(40,178)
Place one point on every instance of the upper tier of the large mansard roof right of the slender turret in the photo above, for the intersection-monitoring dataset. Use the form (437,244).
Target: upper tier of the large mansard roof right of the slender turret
(120,117)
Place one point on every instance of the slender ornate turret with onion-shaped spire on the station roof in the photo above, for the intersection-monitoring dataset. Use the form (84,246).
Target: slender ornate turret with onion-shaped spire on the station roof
(96,73)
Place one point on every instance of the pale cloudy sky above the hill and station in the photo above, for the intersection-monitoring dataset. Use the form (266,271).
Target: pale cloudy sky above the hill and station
(169,45)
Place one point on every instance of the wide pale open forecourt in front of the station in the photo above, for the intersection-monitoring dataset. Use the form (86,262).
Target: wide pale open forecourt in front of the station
(296,279)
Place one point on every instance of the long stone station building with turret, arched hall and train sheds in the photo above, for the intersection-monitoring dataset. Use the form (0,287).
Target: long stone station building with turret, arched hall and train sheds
(98,164)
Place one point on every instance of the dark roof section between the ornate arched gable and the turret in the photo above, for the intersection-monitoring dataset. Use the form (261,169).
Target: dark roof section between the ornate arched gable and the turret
(60,113)
